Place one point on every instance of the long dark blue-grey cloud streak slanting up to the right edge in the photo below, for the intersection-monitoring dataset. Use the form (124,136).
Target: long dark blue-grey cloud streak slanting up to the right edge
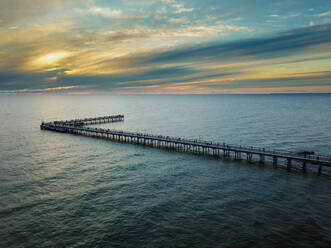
(281,44)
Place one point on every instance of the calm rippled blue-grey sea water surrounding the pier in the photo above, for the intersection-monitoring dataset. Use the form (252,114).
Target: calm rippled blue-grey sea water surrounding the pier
(60,190)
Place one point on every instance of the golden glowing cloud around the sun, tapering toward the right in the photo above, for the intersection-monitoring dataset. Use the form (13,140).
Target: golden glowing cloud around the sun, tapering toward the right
(89,51)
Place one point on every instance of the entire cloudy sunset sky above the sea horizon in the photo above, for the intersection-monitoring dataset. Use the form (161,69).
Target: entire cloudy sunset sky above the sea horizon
(165,46)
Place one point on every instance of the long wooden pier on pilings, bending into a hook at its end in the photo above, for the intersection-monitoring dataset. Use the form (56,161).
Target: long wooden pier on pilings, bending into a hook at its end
(261,155)
